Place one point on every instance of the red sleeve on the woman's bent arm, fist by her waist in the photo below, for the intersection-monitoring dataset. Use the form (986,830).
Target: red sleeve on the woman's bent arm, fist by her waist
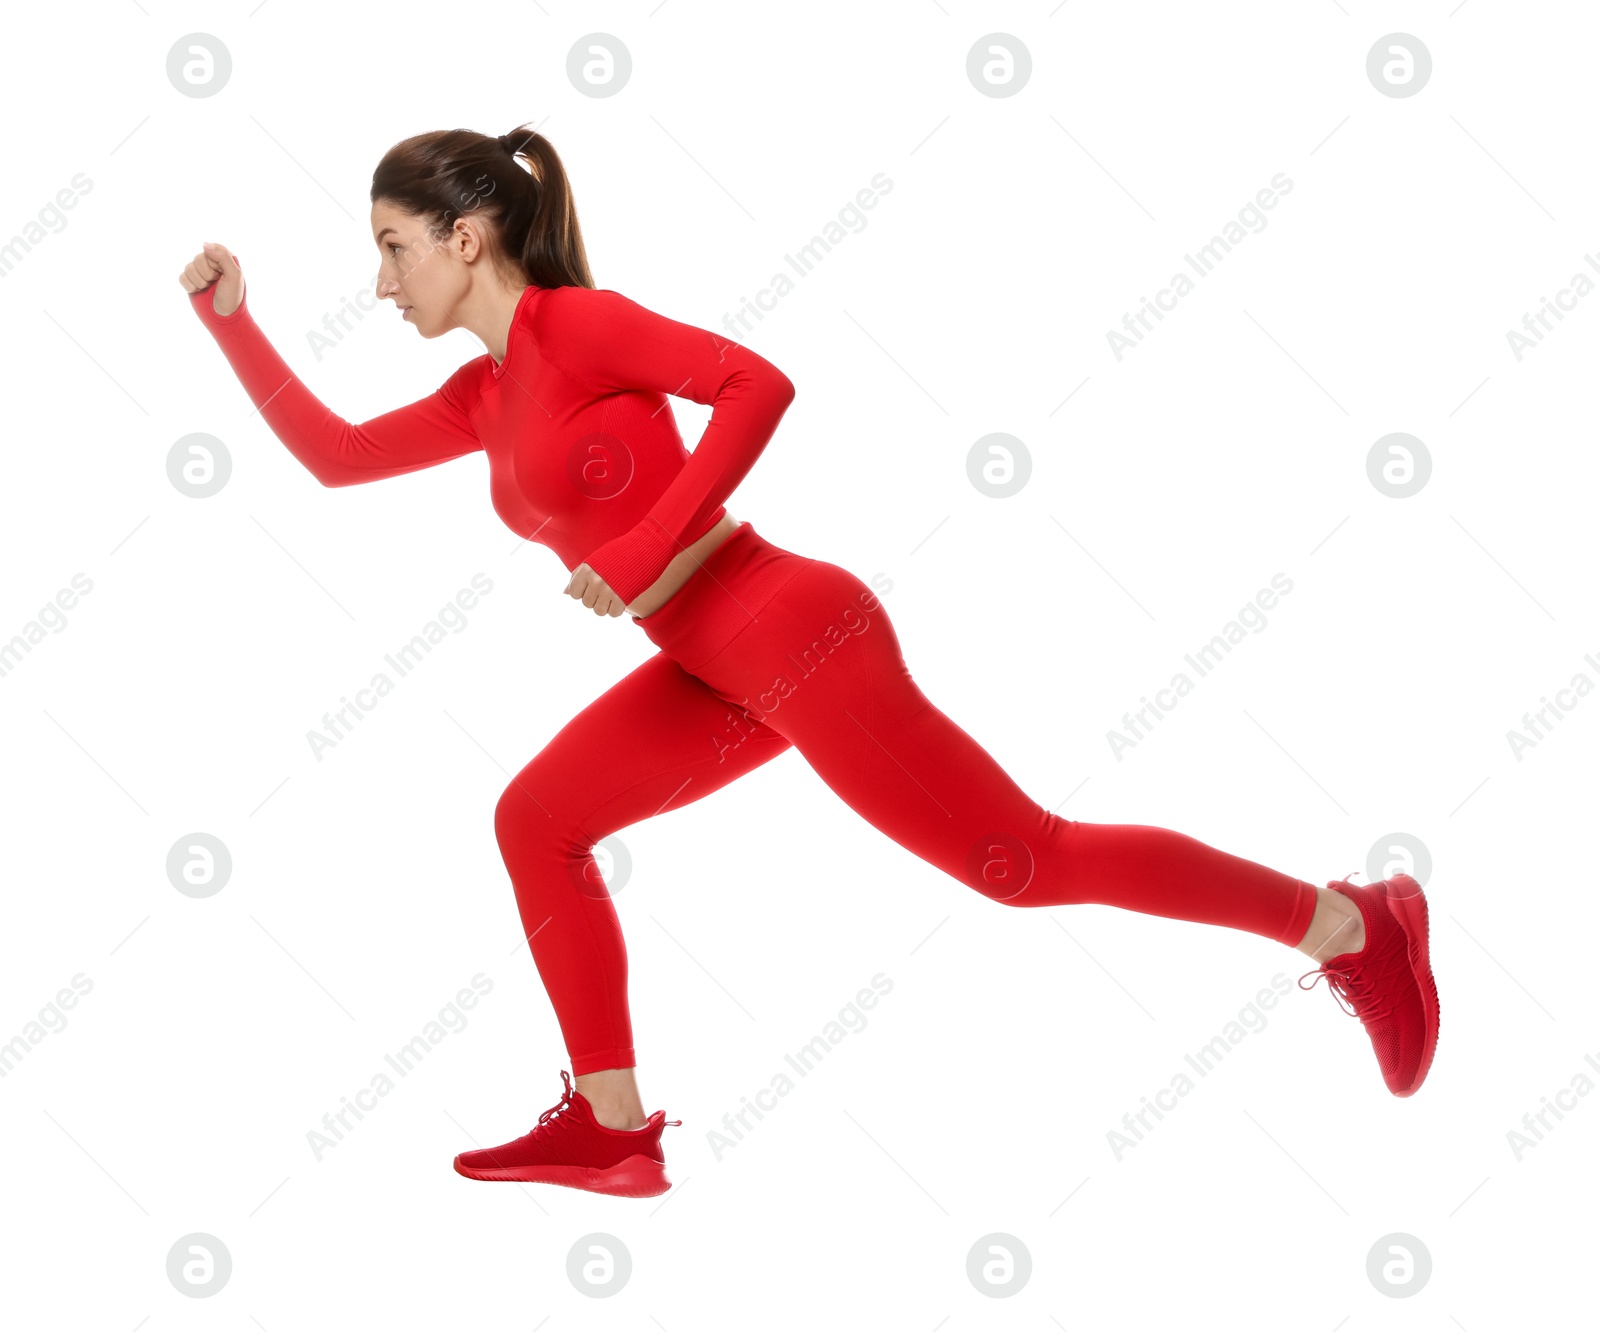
(610,343)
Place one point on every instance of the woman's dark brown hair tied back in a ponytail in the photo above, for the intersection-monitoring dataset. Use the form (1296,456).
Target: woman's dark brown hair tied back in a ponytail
(530,214)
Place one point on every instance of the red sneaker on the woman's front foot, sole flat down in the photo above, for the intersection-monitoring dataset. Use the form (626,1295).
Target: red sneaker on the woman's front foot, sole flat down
(570,1147)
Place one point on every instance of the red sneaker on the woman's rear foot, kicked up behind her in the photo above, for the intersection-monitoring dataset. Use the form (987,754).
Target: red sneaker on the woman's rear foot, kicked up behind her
(1390,984)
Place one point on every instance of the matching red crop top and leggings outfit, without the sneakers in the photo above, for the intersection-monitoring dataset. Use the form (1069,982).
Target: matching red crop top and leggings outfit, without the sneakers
(758,652)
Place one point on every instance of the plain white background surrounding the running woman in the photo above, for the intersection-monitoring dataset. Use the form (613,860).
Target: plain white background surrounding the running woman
(1231,446)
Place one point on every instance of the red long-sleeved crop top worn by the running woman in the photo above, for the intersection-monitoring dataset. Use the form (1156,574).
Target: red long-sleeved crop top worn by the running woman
(585,454)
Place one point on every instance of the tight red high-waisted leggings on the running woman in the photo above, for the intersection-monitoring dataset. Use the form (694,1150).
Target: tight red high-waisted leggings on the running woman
(761,651)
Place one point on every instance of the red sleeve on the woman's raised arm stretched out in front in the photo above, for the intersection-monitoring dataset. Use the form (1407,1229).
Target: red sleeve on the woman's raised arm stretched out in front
(428,431)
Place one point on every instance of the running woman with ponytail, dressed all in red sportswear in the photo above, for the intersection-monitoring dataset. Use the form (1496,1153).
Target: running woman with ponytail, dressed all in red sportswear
(759,649)
